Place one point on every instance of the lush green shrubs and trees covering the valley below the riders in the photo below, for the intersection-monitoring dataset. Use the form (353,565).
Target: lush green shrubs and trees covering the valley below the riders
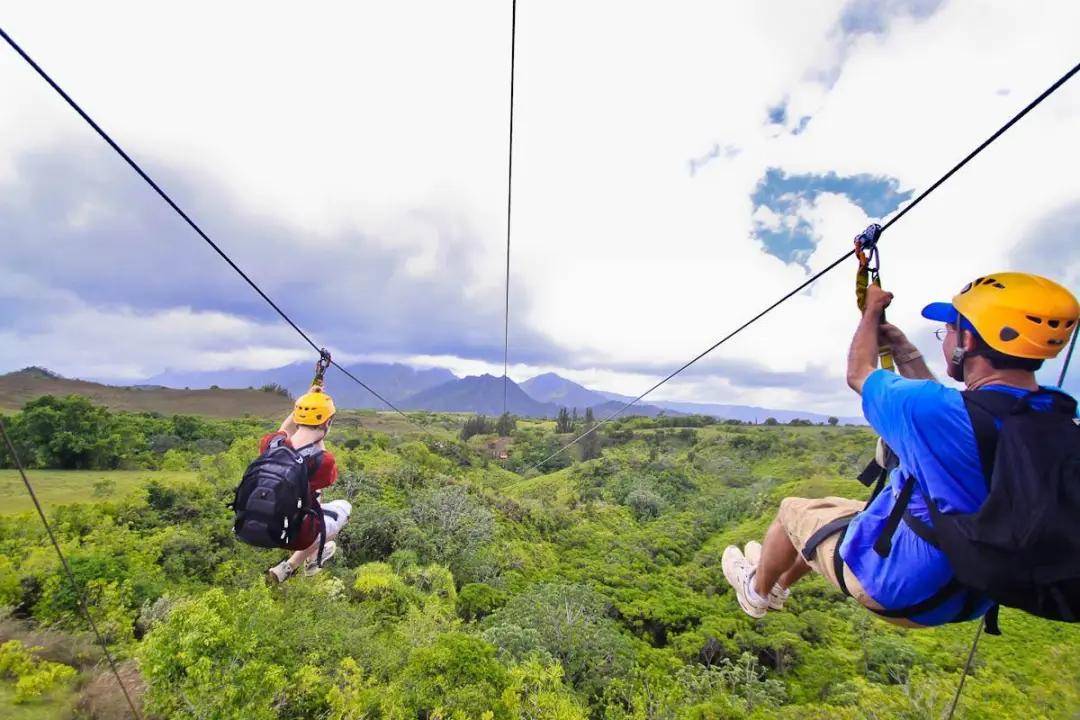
(465,589)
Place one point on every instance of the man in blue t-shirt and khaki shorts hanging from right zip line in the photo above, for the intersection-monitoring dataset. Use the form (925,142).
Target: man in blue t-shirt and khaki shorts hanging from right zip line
(998,331)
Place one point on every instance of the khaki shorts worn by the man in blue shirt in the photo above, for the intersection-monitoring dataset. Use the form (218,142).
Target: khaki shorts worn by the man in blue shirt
(802,518)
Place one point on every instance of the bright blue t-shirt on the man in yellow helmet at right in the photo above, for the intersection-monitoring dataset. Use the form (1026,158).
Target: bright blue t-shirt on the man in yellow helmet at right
(927,426)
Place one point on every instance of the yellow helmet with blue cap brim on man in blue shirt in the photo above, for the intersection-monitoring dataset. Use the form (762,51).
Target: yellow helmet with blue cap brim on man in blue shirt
(1016,314)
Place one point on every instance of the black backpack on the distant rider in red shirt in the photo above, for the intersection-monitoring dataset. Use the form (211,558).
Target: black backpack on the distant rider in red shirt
(274,498)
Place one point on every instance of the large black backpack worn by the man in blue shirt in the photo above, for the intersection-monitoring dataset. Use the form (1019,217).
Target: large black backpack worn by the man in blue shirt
(1022,547)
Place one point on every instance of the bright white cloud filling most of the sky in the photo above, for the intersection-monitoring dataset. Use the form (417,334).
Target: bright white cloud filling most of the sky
(341,117)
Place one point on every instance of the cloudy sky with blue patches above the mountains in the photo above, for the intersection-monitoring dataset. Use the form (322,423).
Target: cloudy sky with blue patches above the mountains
(674,173)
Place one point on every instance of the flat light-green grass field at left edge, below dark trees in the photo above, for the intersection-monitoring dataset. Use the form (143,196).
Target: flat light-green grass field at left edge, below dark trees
(61,487)
